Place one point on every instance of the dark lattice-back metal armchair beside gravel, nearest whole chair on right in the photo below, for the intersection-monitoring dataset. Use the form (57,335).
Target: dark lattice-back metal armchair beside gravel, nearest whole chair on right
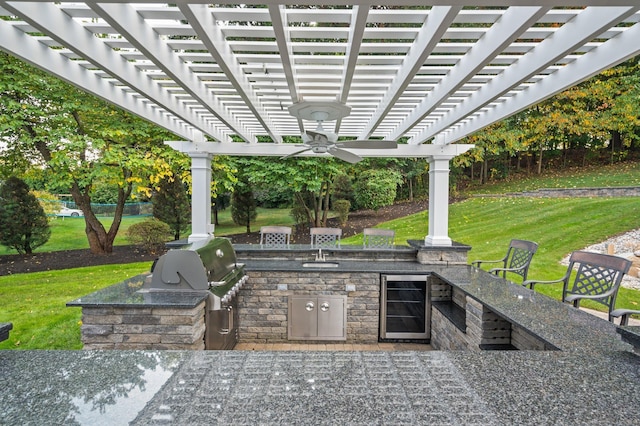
(598,277)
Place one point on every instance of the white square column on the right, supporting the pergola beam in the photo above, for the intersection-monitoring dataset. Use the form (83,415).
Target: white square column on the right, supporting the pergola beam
(438,201)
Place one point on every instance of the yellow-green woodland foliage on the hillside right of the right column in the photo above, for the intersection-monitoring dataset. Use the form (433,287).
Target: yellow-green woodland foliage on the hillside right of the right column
(593,122)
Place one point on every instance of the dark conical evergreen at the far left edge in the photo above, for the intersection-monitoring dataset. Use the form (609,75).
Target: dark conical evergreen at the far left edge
(23,223)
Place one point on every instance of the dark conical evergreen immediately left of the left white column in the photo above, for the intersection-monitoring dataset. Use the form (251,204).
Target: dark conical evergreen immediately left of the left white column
(171,205)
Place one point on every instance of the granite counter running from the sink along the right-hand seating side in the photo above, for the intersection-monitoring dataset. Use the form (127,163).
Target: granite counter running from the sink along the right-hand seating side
(561,325)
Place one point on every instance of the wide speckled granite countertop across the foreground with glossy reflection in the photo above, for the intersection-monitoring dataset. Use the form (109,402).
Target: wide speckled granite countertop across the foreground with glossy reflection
(319,388)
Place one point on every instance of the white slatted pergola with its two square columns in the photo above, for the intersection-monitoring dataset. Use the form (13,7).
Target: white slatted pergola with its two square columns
(431,71)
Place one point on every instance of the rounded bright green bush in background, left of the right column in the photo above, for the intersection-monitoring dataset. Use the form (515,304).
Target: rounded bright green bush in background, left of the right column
(376,188)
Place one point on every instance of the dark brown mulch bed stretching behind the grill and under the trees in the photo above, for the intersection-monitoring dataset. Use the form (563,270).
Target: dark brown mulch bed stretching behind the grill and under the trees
(16,264)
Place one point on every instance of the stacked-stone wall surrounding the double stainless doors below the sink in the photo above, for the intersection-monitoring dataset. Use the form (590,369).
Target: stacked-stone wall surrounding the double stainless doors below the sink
(263,303)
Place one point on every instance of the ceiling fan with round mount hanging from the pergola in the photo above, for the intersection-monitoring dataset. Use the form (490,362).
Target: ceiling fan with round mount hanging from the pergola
(323,142)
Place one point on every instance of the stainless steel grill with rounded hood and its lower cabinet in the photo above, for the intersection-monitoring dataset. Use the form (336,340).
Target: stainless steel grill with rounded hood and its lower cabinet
(208,266)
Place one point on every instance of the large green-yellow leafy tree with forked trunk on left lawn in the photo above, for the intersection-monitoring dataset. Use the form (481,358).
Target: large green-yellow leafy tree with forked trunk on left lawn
(78,139)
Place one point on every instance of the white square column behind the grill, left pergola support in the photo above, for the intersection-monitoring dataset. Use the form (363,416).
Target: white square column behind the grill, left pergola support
(201,227)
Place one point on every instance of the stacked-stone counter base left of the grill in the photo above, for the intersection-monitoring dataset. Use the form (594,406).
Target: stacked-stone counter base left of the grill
(143,328)
